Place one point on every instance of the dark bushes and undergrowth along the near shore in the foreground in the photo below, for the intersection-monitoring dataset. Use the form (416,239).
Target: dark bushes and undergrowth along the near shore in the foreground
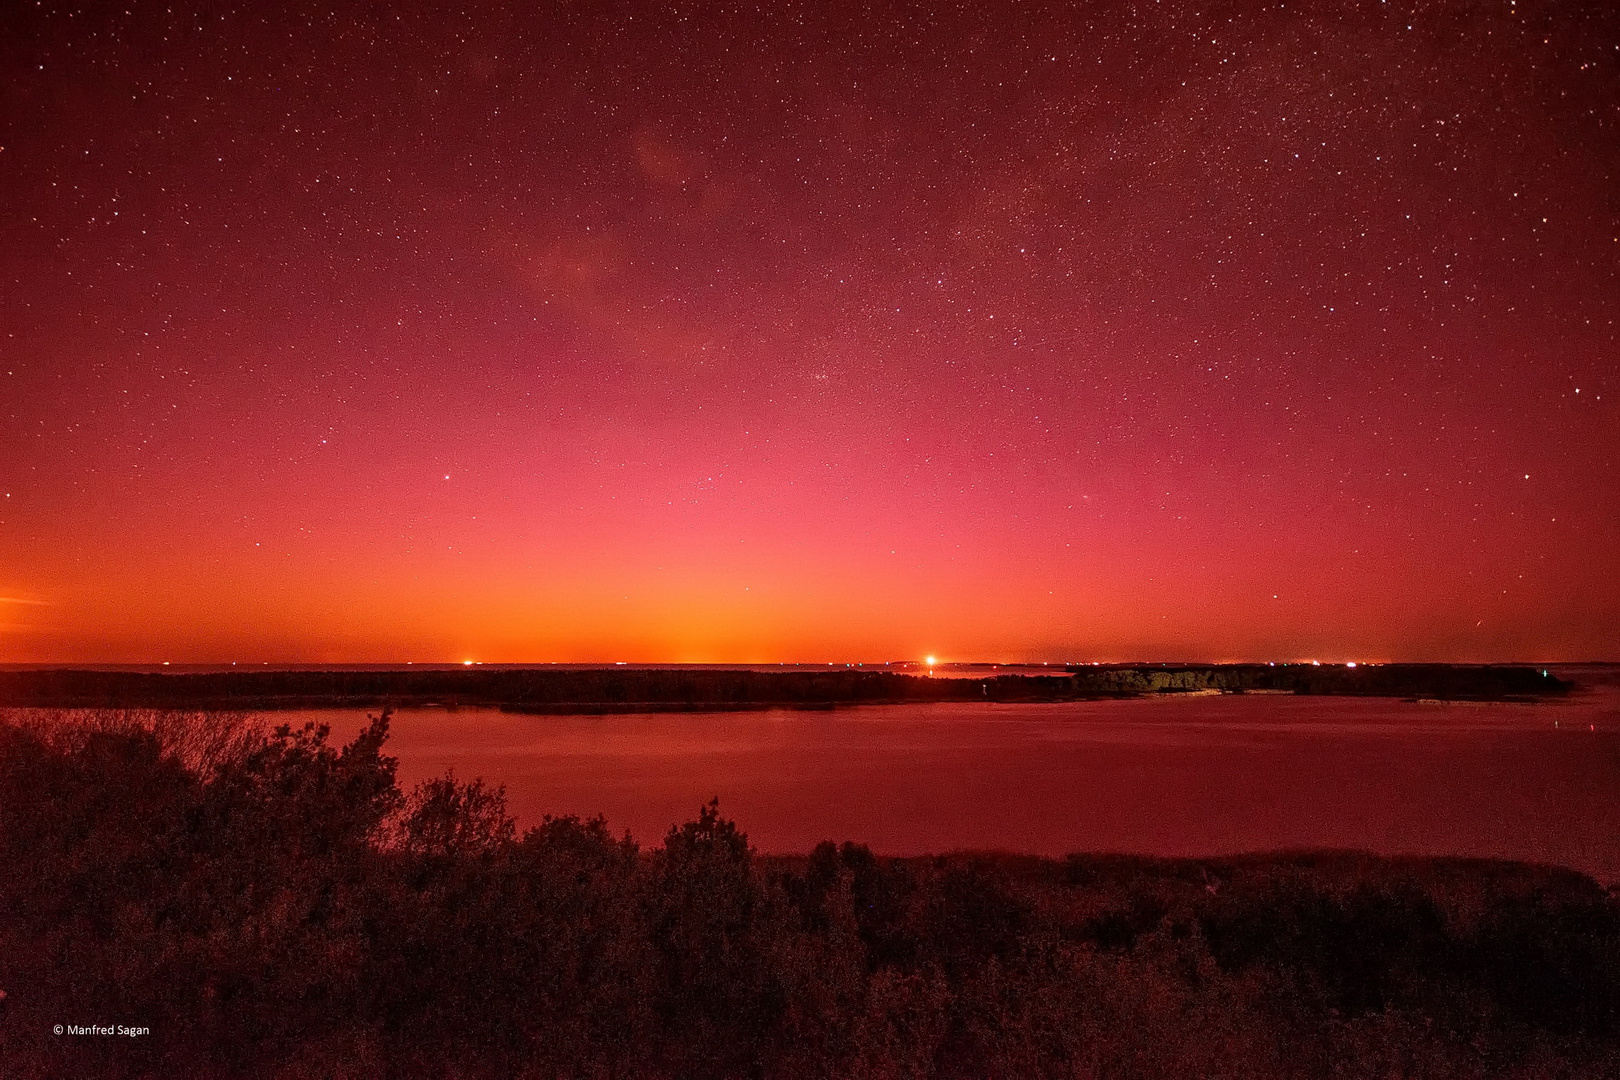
(270,906)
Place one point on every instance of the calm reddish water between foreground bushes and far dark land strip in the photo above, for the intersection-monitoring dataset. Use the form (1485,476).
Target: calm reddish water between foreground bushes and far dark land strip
(1174,776)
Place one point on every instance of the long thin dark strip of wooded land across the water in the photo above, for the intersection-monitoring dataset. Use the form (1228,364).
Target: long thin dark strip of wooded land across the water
(618,691)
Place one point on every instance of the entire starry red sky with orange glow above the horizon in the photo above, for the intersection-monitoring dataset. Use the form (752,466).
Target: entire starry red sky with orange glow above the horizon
(706,333)
